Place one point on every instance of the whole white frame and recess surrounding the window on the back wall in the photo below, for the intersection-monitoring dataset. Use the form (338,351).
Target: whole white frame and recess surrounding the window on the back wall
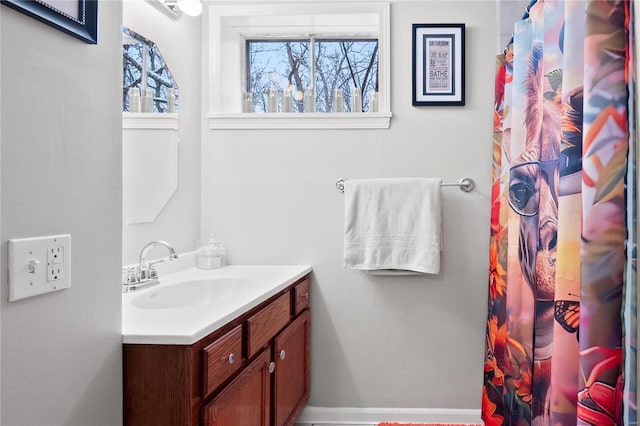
(229,26)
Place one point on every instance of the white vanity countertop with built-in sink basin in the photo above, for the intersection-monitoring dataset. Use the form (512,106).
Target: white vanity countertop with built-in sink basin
(150,316)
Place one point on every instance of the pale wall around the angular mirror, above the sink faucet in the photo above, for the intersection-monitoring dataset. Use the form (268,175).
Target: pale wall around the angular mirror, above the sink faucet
(180,43)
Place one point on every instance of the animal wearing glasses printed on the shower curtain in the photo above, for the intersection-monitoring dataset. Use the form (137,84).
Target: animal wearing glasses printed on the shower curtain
(533,196)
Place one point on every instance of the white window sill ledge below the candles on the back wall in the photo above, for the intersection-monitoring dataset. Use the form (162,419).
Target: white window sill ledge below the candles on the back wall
(320,120)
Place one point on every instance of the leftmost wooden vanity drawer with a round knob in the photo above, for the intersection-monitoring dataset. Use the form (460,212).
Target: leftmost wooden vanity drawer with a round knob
(221,359)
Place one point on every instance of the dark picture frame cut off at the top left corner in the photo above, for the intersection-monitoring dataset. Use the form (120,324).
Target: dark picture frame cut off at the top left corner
(83,26)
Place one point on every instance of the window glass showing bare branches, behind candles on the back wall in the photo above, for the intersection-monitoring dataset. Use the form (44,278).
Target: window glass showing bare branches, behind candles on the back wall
(330,67)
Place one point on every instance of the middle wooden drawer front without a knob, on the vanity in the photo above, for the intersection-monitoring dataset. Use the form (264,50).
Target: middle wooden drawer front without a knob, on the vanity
(265,324)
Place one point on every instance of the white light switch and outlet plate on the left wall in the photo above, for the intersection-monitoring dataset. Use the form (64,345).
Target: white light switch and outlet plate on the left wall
(39,265)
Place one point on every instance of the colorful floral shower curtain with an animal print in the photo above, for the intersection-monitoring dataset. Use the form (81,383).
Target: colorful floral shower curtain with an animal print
(561,329)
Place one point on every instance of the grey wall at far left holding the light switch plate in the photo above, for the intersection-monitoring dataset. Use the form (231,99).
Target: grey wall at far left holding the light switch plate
(61,173)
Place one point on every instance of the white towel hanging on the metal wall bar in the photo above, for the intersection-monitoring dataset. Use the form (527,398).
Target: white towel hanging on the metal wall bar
(393,224)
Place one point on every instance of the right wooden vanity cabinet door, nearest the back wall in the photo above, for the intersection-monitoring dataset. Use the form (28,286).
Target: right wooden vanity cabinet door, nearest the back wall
(291,389)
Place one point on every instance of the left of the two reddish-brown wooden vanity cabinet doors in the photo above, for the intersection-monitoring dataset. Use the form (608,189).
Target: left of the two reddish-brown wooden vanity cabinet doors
(247,399)
